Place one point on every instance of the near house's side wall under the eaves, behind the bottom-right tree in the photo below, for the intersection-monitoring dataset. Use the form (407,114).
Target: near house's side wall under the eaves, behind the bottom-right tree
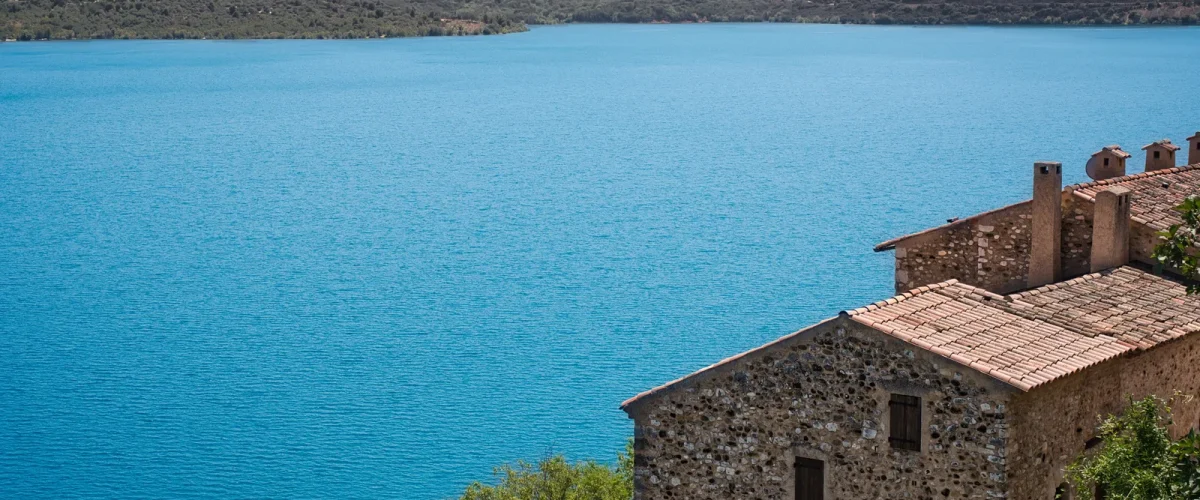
(1052,424)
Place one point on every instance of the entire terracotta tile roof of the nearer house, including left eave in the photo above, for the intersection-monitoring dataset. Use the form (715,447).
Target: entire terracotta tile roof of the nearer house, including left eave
(1023,340)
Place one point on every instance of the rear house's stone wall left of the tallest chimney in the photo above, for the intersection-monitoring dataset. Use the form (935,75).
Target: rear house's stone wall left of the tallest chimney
(989,251)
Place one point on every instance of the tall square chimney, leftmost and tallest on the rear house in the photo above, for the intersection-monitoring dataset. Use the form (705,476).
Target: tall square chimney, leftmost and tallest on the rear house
(1046,250)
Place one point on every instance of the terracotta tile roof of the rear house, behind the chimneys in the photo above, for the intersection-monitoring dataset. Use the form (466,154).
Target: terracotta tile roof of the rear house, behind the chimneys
(1155,194)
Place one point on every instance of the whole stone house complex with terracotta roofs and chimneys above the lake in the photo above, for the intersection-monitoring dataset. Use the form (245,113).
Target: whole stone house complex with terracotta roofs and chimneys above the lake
(982,385)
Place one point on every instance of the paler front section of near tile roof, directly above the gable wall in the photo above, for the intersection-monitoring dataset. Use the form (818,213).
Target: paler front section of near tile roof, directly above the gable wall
(979,329)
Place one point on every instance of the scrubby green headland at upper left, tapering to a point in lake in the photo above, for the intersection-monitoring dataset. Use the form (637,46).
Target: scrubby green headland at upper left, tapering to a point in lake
(67,20)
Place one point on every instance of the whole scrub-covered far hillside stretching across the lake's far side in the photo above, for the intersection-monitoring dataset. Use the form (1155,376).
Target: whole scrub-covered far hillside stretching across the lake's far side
(67,20)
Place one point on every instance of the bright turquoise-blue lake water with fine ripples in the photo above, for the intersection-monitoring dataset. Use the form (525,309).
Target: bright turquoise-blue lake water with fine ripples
(376,269)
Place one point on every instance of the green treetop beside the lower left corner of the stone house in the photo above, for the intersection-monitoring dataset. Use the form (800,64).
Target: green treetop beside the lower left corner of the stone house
(556,479)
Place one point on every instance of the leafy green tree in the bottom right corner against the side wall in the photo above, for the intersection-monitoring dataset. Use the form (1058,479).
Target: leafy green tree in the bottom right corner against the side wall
(1139,461)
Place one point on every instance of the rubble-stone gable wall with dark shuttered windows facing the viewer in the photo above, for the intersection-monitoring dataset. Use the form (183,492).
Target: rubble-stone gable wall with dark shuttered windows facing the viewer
(824,394)
